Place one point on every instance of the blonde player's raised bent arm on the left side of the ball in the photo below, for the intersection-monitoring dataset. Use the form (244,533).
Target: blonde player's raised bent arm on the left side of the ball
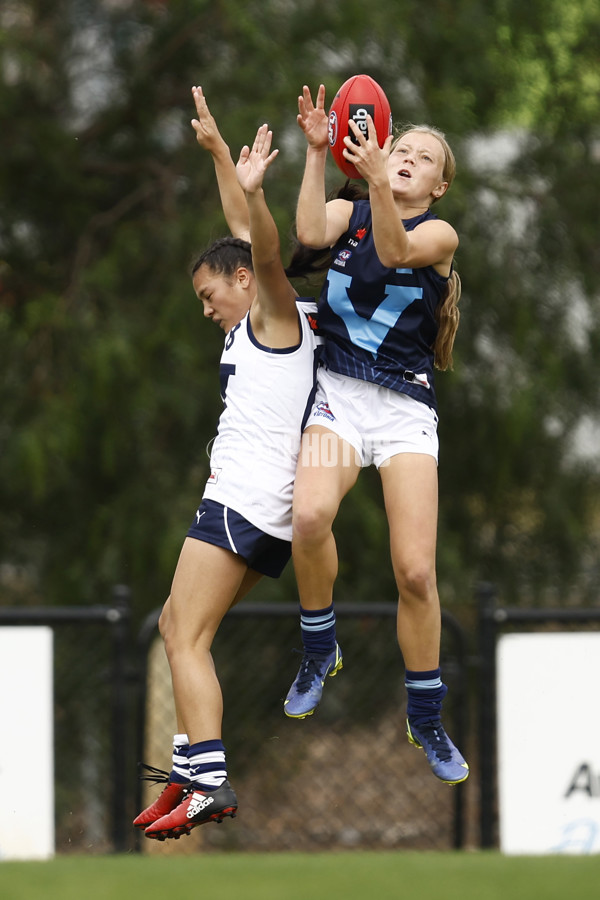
(318,223)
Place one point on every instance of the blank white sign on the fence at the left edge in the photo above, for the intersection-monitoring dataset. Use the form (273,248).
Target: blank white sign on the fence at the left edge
(26,743)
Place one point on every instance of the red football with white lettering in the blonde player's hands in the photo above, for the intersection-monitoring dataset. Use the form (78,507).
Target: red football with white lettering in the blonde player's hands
(358,97)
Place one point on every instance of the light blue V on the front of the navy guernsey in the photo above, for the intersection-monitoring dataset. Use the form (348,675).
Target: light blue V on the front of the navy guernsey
(369,333)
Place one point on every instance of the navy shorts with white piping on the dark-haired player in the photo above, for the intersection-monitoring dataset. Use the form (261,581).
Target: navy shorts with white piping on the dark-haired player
(224,527)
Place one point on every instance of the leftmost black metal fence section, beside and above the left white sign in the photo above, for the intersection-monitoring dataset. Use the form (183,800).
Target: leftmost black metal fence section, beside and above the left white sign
(93,728)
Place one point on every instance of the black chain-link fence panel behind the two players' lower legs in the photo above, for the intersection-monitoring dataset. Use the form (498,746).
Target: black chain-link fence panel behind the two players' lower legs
(343,777)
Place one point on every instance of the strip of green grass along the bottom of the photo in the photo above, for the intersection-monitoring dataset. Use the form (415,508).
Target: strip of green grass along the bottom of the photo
(318,876)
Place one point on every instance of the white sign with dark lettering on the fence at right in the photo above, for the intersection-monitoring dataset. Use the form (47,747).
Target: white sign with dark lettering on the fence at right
(549,743)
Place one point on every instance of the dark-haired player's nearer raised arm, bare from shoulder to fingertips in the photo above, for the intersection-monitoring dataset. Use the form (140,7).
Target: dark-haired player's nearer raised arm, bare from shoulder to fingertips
(273,314)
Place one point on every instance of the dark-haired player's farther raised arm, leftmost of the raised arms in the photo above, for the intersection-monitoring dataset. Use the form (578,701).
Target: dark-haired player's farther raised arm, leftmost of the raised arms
(232,196)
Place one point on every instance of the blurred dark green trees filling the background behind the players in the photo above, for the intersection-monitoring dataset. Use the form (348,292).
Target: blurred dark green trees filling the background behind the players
(109,386)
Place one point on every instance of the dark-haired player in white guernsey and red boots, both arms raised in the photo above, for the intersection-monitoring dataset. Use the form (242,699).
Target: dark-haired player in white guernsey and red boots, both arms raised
(242,528)
